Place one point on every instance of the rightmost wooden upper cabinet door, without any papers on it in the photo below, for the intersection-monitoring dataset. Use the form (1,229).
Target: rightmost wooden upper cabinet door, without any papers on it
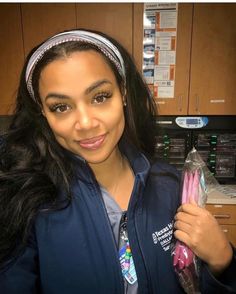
(213,59)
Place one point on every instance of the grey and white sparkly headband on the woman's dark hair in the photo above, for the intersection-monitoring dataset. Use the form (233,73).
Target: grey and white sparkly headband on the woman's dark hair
(103,44)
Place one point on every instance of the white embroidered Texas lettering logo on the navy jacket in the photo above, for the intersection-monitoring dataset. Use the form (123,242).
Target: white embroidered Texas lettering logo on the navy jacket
(164,236)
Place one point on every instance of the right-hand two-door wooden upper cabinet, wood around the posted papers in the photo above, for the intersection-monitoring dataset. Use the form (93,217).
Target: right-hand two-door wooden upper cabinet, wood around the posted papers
(205,60)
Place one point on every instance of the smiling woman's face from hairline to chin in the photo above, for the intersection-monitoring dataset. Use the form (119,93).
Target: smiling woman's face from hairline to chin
(83,105)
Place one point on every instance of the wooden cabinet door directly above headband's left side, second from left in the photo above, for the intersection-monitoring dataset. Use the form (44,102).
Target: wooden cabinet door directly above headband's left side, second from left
(43,20)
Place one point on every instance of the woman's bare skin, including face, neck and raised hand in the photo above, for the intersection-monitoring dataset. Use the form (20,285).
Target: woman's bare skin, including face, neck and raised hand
(83,101)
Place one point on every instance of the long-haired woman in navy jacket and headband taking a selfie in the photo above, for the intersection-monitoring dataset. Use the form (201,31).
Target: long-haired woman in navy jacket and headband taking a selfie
(81,197)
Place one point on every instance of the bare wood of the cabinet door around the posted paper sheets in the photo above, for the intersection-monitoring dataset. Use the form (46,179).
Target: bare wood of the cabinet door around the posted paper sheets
(179,104)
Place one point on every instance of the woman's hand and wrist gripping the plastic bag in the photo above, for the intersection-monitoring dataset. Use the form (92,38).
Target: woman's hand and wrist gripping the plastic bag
(200,231)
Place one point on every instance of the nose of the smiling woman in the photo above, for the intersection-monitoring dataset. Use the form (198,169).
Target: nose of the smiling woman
(85,118)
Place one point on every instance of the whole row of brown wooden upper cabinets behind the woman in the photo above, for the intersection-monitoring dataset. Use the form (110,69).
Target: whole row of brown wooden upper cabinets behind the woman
(205,54)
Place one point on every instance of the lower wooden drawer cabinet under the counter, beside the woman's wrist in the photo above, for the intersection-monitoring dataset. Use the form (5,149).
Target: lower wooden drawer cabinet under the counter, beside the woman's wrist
(226,216)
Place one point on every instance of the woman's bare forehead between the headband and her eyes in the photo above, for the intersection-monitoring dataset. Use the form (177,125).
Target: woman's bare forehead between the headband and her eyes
(74,73)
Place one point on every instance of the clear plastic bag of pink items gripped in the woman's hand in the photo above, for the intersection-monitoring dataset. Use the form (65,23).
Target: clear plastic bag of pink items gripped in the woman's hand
(197,183)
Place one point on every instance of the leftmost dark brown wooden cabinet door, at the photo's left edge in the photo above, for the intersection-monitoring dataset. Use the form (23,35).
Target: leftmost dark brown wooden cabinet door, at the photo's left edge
(12,55)
